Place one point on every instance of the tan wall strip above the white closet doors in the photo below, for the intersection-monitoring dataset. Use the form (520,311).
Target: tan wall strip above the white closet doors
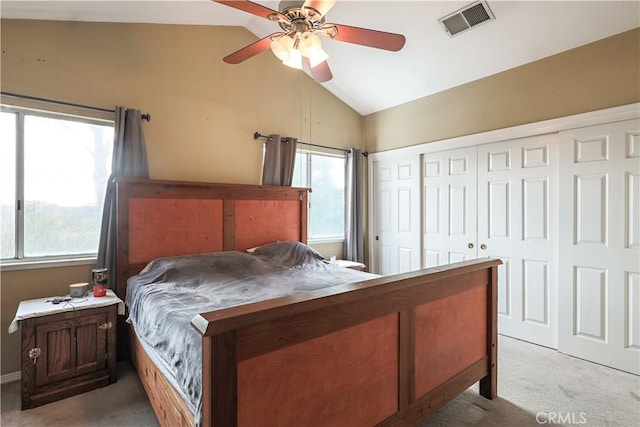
(592,77)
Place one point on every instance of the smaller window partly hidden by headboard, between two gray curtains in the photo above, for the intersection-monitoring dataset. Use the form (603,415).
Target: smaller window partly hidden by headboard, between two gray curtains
(325,175)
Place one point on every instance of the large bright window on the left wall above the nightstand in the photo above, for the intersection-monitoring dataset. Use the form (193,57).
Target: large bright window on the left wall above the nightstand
(53,174)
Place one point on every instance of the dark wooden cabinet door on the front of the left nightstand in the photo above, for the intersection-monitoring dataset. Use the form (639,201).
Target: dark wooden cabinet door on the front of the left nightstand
(71,347)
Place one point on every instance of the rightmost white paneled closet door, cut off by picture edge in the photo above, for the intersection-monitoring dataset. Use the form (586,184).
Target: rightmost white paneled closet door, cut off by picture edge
(600,244)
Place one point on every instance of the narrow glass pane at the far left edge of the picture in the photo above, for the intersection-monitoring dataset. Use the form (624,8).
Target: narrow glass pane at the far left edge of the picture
(7,185)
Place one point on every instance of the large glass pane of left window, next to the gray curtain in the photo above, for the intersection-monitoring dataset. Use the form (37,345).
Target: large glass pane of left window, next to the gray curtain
(67,164)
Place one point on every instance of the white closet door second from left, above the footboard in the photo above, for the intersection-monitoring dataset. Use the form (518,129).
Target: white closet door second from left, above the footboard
(449,206)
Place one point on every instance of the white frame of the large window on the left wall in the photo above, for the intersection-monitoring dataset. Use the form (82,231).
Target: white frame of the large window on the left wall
(21,262)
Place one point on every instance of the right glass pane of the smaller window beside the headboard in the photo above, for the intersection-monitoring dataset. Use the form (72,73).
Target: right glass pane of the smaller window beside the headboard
(327,197)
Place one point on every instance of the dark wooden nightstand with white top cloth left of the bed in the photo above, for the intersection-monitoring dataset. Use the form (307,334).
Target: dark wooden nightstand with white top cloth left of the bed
(67,348)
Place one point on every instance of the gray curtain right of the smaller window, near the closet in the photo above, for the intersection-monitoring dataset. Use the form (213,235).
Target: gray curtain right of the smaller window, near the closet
(354,237)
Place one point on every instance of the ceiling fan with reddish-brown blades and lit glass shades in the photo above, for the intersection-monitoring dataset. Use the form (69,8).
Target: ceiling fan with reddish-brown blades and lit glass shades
(302,24)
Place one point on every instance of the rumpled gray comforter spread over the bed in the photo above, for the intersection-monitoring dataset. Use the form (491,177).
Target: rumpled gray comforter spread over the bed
(164,298)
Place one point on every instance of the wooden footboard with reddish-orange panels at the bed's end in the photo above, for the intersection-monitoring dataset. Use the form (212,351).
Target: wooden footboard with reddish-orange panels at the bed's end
(388,351)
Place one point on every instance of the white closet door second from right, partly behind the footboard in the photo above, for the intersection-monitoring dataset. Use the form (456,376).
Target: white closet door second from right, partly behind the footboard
(517,222)
